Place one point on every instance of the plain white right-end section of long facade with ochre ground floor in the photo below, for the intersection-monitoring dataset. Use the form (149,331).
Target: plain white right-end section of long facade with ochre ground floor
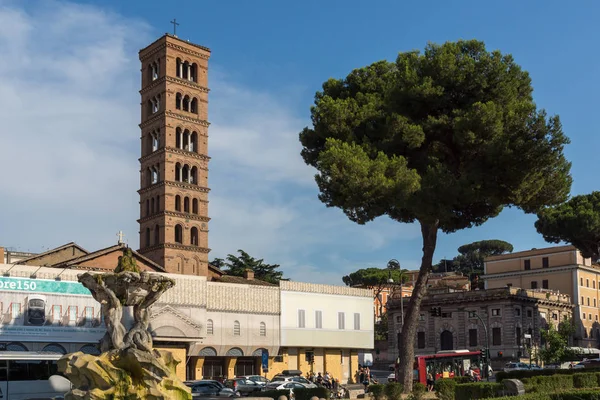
(323,328)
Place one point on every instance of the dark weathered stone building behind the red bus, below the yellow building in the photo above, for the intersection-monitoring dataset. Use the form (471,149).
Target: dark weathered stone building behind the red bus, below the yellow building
(508,313)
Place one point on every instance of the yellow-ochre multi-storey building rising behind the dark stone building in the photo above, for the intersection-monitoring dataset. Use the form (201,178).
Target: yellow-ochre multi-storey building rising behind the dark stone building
(561,269)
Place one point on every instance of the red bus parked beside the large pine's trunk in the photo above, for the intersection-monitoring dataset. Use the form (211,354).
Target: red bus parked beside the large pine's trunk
(446,364)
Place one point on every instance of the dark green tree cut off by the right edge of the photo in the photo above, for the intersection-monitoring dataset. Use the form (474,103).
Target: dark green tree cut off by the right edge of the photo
(577,222)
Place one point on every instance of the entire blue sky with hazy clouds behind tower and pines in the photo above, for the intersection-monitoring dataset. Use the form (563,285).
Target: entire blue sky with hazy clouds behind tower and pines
(70,109)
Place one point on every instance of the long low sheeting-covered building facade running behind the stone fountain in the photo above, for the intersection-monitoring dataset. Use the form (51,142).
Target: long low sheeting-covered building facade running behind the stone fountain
(217,329)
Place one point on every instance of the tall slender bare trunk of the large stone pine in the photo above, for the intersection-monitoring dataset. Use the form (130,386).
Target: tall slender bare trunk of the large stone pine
(409,330)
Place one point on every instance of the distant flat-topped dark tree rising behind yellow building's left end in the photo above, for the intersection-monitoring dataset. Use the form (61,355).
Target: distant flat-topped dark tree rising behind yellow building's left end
(471,258)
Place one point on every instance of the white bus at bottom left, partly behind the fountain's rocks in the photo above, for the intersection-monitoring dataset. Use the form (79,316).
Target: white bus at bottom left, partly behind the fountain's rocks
(31,375)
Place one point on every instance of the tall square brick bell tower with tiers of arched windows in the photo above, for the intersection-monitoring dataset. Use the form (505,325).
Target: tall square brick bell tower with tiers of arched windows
(174,162)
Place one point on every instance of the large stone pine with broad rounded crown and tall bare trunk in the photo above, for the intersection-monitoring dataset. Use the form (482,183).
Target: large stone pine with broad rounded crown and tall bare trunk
(445,139)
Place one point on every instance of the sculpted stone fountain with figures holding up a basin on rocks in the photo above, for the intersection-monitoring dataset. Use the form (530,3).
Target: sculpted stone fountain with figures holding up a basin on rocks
(128,367)
